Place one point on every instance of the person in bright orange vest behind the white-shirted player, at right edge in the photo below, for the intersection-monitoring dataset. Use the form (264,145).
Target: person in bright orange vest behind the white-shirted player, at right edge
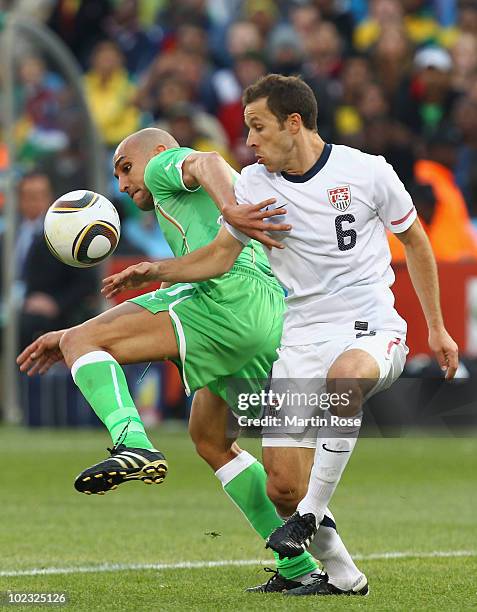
(440,205)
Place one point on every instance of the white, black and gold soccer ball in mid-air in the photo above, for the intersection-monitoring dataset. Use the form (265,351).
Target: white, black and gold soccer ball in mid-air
(82,228)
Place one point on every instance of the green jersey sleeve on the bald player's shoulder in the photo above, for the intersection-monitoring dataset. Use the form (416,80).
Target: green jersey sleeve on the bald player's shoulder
(163,173)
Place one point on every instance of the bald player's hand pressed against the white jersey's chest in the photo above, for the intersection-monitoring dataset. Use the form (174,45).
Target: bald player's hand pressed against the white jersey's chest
(250,219)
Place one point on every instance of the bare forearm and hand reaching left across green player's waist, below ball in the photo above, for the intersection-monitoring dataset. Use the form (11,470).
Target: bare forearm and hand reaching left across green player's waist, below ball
(208,262)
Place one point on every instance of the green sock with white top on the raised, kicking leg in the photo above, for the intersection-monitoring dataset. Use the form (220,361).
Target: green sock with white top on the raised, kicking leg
(101,380)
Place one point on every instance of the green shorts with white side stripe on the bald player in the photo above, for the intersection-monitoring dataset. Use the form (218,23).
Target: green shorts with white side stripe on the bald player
(227,331)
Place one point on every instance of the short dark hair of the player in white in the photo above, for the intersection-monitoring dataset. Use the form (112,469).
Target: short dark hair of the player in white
(285,95)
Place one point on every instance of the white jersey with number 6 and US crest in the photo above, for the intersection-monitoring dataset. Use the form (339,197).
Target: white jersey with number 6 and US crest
(336,263)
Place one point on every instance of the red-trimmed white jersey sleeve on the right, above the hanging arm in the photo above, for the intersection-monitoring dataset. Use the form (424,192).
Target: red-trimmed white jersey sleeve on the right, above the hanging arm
(394,204)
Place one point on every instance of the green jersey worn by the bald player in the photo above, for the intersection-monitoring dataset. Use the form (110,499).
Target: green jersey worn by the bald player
(189,218)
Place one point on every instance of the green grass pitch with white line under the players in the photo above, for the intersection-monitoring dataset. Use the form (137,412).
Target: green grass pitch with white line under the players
(410,495)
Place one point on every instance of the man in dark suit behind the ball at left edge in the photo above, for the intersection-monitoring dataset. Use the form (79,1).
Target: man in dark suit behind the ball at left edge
(55,295)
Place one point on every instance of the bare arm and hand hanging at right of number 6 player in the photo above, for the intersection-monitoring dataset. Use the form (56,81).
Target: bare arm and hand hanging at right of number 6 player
(422,268)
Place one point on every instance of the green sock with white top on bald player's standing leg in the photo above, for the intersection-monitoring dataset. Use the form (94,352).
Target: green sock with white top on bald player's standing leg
(244,480)
